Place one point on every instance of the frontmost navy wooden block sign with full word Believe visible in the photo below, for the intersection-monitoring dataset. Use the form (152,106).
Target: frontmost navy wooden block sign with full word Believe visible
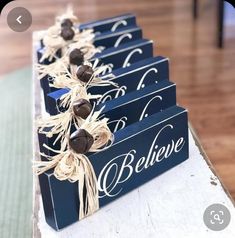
(140,152)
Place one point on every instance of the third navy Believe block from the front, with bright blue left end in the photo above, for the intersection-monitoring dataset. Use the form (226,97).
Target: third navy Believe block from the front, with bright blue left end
(135,77)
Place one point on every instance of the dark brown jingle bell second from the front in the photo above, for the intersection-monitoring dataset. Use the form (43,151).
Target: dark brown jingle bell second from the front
(82,108)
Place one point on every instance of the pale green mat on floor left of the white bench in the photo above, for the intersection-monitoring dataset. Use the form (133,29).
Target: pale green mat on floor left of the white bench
(16,154)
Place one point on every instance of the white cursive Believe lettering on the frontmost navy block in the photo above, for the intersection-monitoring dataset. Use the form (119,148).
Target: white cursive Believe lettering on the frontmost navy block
(121,168)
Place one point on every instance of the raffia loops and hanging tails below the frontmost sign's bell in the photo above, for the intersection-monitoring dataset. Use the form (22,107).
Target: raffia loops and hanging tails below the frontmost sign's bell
(74,167)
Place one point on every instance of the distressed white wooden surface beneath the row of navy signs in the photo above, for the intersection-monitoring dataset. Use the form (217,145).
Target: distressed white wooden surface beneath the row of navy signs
(169,206)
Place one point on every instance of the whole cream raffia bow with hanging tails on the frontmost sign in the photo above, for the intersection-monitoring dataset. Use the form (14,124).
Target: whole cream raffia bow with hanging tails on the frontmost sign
(74,167)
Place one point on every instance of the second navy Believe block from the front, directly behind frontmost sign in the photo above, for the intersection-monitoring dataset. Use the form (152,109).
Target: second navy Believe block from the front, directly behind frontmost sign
(143,103)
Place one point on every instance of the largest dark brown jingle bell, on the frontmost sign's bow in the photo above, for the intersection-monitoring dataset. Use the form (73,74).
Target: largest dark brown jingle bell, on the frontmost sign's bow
(81,141)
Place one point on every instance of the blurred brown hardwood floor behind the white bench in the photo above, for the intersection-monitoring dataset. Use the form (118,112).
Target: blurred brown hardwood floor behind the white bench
(204,74)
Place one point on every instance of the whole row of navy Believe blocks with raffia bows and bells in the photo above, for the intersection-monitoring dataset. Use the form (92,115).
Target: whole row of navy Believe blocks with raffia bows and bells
(112,120)
